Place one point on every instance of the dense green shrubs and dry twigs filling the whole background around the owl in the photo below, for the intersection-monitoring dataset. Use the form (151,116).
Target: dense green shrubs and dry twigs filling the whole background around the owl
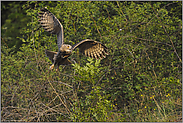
(140,79)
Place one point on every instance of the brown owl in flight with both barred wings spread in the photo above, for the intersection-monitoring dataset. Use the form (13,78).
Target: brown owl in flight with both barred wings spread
(87,47)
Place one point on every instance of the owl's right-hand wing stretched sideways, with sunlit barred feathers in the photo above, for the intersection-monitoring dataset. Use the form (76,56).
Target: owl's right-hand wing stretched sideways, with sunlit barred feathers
(91,48)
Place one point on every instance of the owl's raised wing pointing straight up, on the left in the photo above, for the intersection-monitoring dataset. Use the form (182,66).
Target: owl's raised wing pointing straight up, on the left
(51,24)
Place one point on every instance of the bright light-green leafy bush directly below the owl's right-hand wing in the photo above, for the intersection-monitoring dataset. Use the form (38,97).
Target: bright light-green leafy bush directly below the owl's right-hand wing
(92,103)
